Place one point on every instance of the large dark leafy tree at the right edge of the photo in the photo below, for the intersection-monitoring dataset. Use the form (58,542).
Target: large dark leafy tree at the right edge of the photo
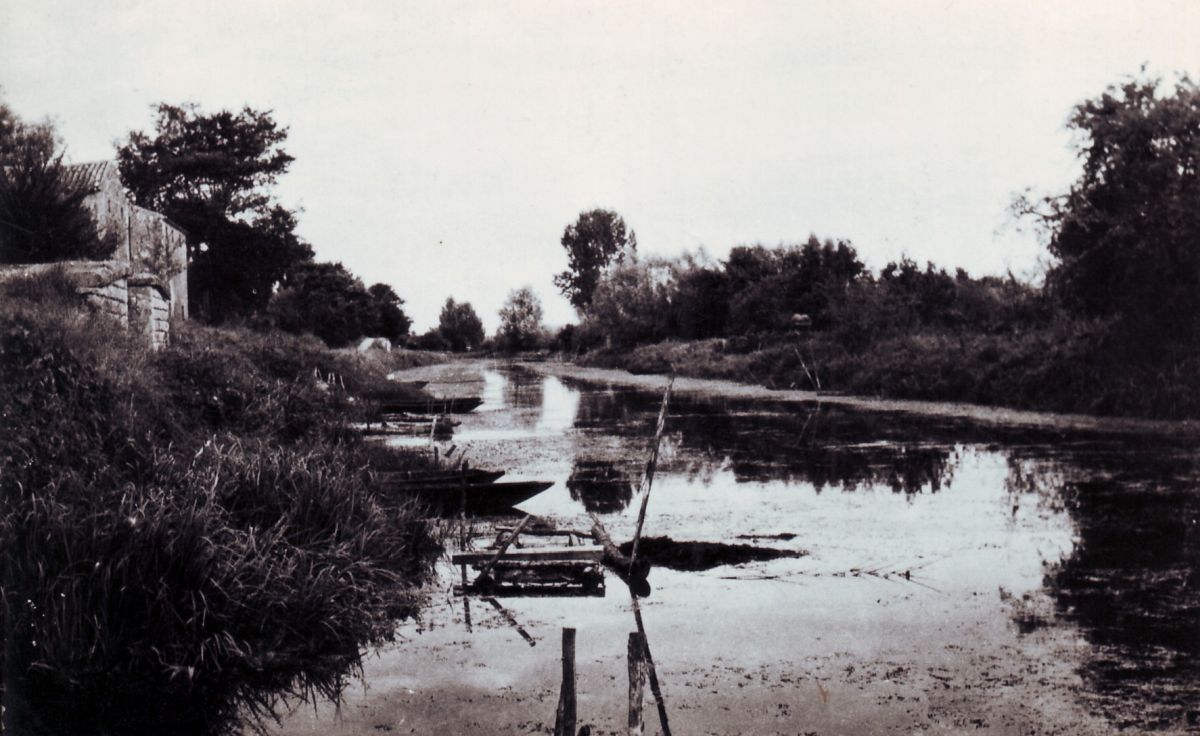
(1126,237)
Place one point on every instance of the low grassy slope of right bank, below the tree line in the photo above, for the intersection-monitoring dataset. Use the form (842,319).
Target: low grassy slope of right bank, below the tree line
(1066,367)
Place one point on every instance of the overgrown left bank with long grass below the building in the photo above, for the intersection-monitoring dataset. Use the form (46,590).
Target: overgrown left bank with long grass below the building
(188,536)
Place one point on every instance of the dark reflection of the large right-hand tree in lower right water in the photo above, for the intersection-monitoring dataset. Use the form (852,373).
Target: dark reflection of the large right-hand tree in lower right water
(1132,587)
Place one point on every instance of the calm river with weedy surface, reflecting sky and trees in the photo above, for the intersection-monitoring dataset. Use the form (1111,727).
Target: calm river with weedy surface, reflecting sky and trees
(951,576)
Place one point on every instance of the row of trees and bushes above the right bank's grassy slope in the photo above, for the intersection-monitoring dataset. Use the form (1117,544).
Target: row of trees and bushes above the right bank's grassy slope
(1125,242)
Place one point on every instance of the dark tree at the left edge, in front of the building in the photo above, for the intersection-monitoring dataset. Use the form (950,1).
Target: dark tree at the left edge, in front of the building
(43,214)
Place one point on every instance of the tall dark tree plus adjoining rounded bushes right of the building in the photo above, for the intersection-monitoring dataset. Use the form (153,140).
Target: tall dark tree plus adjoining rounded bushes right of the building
(214,176)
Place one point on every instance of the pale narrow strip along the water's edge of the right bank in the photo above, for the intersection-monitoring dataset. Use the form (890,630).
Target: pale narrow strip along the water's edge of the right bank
(985,415)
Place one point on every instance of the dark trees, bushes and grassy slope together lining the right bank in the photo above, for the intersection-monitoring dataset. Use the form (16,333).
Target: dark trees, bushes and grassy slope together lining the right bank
(1114,330)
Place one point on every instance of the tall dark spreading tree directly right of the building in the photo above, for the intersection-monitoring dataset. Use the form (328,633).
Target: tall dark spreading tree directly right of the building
(213,175)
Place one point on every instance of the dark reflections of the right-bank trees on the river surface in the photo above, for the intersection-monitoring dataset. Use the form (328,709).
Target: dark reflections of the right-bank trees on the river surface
(1131,584)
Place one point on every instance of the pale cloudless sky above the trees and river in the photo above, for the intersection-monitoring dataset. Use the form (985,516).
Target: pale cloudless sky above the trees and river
(443,147)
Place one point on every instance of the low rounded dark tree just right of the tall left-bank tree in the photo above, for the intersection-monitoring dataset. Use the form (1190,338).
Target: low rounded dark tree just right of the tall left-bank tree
(327,301)
